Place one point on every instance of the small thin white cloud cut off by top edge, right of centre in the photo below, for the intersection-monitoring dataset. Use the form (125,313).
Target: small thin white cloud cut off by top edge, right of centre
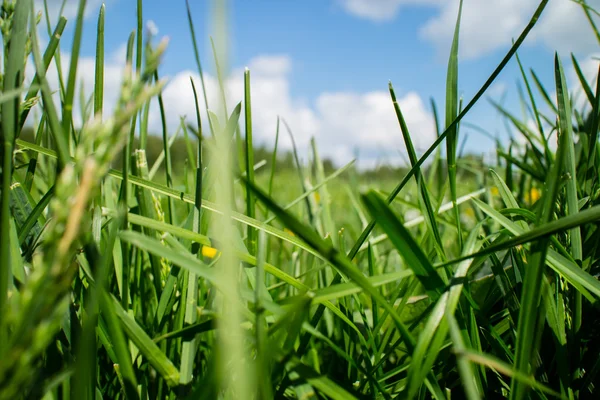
(379,10)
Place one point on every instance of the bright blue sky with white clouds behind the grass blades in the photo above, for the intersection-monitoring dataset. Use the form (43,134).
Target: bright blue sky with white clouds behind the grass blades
(324,65)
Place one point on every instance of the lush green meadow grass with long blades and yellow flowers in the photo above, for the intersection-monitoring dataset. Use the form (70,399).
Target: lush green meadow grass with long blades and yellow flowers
(236,275)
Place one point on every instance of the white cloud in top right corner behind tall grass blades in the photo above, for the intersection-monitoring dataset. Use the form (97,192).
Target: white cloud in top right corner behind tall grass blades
(487,25)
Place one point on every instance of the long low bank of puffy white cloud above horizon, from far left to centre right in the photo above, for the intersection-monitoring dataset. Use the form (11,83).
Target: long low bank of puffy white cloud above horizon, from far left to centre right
(340,122)
